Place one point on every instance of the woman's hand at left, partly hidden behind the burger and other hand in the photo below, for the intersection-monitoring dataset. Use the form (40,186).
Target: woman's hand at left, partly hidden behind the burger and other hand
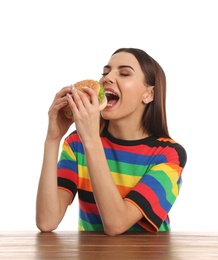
(58,123)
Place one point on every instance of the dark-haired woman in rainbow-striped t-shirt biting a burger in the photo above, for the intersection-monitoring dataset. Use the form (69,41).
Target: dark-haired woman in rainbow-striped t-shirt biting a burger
(125,167)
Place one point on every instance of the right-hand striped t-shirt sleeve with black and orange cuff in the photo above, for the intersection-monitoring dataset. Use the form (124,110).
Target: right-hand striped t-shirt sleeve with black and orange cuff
(157,190)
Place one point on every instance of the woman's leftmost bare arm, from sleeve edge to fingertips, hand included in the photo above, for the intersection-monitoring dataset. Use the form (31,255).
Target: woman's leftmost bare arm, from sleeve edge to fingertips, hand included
(51,203)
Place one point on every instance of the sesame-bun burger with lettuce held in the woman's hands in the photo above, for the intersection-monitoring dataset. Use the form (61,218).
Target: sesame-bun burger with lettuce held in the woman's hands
(96,86)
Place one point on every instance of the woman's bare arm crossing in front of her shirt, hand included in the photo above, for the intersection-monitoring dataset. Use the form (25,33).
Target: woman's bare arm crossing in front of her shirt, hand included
(117,215)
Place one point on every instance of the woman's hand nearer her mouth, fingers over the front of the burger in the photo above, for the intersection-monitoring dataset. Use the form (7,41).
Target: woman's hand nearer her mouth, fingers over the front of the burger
(86,113)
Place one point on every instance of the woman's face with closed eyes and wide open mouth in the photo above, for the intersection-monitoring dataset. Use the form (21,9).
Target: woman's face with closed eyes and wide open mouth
(123,81)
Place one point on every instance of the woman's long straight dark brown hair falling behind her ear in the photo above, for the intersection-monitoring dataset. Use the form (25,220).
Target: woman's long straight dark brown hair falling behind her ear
(154,119)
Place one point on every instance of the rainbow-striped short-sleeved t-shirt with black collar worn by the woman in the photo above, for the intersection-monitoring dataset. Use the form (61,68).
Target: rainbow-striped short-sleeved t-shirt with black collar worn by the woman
(147,173)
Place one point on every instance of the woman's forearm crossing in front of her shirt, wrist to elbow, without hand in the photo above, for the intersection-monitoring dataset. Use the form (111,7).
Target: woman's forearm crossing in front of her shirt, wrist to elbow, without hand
(113,209)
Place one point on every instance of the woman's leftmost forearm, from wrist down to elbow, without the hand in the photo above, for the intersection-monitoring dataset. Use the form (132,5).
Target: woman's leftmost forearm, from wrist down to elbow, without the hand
(48,204)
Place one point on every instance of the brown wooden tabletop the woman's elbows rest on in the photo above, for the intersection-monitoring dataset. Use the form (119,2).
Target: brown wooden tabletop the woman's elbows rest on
(97,245)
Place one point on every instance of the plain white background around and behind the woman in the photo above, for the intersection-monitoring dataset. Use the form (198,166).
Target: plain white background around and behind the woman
(47,44)
